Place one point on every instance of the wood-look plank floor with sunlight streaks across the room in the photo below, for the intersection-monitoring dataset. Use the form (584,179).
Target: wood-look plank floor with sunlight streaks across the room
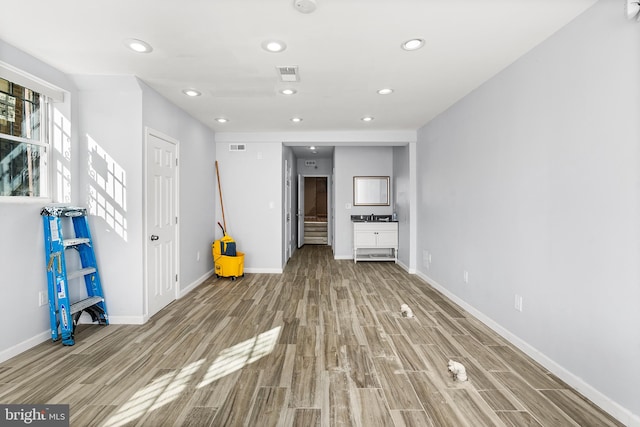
(323,344)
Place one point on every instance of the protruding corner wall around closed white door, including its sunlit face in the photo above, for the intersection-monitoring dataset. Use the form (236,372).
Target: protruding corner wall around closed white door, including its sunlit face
(115,111)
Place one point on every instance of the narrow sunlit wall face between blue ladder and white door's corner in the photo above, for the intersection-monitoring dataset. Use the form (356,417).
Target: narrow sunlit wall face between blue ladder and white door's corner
(110,119)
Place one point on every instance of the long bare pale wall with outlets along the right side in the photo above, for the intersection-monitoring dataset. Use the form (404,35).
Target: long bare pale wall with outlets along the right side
(531,184)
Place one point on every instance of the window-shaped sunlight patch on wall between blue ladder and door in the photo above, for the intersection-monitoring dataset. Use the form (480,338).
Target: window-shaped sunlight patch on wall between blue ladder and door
(107,188)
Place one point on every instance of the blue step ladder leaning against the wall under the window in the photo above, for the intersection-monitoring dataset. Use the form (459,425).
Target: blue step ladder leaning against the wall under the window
(64,314)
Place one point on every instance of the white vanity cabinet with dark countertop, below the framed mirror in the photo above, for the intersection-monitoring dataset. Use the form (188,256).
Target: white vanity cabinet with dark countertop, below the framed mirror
(375,241)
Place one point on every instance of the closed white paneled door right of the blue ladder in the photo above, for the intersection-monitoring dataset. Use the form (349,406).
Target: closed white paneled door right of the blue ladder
(161,221)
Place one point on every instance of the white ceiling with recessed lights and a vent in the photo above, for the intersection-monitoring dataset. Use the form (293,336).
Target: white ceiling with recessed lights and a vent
(346,50)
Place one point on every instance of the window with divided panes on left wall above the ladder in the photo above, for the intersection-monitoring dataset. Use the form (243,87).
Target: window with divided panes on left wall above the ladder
(23,141)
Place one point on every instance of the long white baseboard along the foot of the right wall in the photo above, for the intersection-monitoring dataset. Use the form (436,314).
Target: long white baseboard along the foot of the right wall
(613,408)
